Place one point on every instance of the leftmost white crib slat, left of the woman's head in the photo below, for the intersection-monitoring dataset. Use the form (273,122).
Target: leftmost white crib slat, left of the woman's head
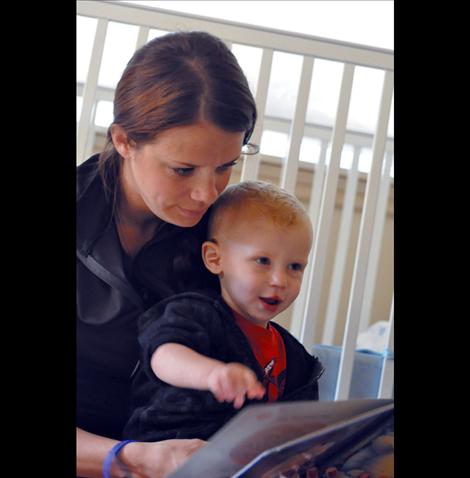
(89,90)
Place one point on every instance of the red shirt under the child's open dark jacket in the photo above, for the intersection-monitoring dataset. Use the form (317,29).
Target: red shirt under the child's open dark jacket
(269,350)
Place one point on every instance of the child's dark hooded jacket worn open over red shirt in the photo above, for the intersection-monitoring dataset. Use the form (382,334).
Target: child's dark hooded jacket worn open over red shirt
(204,323)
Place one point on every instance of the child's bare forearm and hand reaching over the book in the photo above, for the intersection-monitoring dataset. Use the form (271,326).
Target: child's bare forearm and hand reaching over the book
(181,366)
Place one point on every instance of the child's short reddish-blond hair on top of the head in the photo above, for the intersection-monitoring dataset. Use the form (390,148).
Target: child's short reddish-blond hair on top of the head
(264,199)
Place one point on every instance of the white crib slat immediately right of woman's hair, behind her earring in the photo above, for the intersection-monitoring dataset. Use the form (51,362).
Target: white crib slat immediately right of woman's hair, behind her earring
(251,163)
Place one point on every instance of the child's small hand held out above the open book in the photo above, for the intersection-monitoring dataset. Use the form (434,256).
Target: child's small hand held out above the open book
(231,381)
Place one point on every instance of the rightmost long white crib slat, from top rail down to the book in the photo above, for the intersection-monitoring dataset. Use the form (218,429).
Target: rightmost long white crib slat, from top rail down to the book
(365,236)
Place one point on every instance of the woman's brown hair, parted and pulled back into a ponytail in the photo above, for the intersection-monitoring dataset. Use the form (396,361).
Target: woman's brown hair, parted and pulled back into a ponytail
(175,80)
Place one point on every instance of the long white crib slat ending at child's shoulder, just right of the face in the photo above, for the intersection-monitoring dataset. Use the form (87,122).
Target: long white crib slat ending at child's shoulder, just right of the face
(320,248)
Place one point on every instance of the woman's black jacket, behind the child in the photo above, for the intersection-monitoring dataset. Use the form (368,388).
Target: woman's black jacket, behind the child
(111,294)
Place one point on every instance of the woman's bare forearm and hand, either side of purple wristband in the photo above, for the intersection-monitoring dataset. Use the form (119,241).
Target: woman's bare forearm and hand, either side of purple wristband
(144,459)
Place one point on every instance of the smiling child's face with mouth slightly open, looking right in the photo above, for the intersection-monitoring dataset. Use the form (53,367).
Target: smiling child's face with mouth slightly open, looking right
(262,265)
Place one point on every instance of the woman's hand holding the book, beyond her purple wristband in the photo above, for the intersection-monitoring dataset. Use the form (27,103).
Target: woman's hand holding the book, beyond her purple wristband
(158,459)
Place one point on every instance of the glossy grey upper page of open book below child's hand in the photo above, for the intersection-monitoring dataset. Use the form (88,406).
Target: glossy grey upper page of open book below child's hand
(259,428)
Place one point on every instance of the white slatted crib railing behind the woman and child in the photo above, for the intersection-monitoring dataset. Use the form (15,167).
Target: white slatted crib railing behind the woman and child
(305,313)
